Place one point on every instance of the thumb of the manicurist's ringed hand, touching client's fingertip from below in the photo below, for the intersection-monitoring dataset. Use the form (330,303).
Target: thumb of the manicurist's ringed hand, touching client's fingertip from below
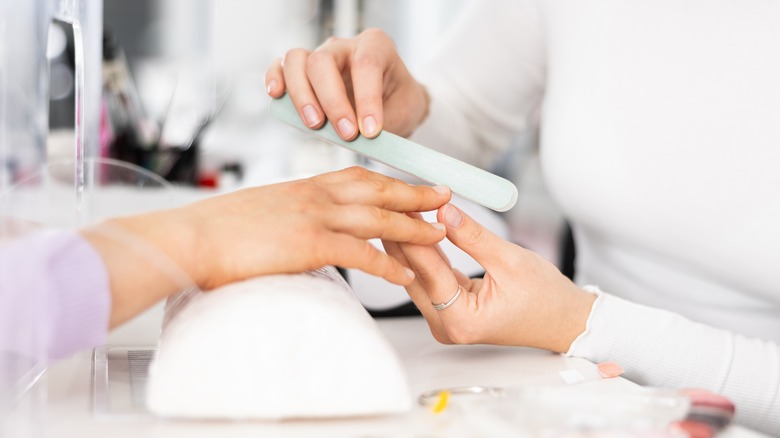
(470,236)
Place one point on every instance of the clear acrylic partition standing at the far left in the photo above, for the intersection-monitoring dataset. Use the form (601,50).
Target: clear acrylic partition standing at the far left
(24,96)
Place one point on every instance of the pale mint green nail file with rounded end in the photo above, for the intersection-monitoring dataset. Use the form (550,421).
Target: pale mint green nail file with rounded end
(468,181)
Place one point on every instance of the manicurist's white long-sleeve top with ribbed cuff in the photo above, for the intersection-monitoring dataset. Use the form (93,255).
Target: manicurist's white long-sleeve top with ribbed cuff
(660,139)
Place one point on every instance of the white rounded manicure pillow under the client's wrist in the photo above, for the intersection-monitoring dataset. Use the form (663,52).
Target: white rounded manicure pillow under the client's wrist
(276,347)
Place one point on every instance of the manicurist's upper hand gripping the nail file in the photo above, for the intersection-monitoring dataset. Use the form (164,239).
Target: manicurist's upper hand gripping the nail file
(359,84)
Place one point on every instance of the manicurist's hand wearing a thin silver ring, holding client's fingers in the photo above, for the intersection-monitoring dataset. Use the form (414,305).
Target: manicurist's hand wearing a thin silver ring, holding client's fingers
(523,299)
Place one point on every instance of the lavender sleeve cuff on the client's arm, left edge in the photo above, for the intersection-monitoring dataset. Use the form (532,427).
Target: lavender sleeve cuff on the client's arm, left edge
(54,295)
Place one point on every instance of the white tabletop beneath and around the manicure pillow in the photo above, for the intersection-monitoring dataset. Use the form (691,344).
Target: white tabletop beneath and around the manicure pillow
(429,365)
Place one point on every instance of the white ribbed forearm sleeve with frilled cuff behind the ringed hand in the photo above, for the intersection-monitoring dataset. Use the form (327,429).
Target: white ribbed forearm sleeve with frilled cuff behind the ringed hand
(660,348)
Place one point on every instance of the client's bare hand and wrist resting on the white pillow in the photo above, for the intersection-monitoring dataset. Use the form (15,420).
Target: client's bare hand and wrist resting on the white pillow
(281,228)
